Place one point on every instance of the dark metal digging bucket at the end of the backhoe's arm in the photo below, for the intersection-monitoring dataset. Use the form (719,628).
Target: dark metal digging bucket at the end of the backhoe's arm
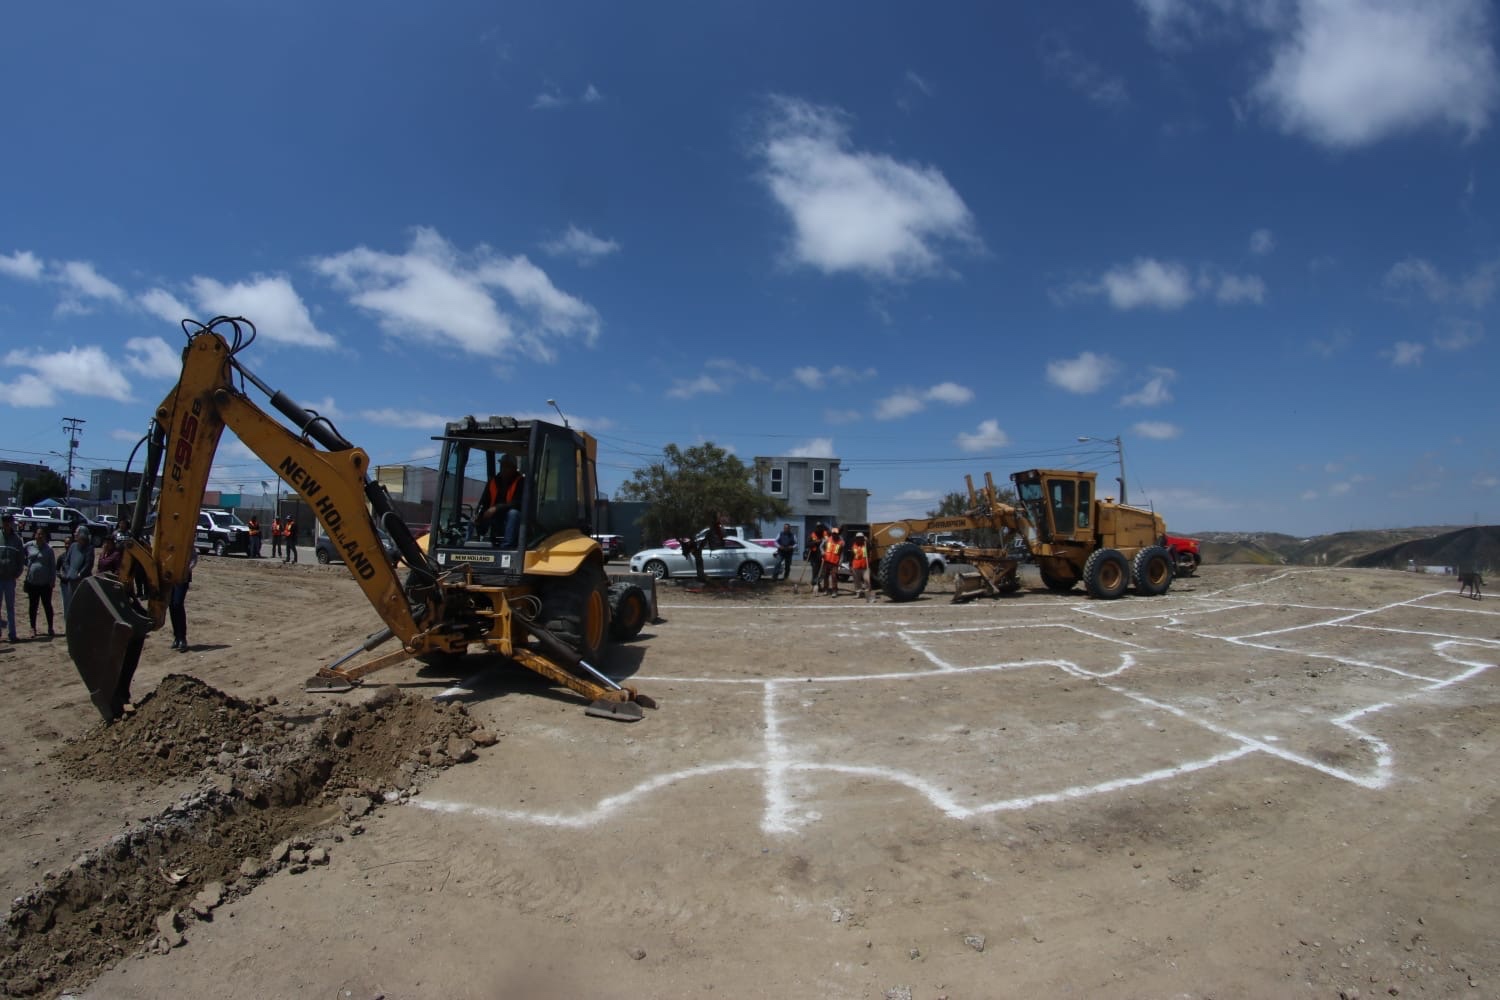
(106,633)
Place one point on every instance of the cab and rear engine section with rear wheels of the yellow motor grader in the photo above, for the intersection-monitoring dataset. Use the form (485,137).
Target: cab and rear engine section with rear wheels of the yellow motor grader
(1079,537)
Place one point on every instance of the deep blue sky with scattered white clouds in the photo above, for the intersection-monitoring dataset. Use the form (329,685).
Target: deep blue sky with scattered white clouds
(1253,239)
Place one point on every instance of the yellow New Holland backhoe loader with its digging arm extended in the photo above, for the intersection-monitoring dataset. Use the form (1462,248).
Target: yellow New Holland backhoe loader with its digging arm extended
(539,597)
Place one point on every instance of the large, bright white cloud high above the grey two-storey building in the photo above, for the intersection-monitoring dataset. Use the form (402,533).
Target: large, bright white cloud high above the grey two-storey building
(853,211)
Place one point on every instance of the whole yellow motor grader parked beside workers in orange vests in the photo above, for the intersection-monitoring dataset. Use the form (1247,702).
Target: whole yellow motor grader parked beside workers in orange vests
(1072,534)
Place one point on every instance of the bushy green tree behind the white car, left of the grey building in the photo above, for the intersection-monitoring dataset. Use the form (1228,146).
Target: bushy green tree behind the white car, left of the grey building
(689,488)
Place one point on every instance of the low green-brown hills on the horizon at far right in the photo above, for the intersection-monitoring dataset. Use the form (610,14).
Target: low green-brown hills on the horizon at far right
(1387,548)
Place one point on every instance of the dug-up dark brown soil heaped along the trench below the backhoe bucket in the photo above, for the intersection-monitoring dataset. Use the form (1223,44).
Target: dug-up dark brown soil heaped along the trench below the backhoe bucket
(265,780)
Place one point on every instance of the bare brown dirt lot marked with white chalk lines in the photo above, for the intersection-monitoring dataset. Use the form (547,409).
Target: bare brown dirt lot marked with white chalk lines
(1270,783)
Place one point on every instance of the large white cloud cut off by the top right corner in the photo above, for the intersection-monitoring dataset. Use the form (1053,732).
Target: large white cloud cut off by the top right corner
(1352,73)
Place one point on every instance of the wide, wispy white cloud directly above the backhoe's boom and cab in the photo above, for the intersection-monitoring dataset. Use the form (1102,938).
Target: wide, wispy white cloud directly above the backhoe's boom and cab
(434,295)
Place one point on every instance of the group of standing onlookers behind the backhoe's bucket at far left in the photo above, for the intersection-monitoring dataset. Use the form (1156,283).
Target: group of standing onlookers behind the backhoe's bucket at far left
(41,570)
